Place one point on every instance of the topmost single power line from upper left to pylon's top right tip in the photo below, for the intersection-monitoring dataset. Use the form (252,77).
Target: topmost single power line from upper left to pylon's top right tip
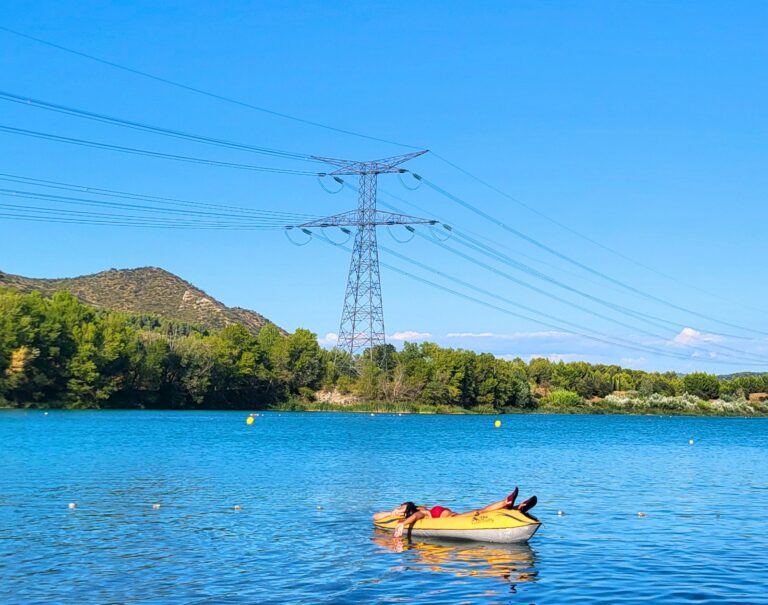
(201,91)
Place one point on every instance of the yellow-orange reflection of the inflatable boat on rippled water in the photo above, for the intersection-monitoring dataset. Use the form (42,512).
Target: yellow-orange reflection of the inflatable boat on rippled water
(512,563)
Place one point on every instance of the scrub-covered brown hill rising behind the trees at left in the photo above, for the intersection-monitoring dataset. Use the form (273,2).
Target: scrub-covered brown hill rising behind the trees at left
(147,290)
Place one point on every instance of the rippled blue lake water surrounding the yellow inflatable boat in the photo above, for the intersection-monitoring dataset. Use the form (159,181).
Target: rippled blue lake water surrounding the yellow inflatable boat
(308,483)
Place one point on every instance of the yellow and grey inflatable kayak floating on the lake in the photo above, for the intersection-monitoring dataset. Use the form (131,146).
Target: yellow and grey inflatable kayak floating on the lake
(501,526)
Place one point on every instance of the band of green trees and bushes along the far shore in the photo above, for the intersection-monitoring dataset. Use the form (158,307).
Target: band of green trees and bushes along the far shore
(58,352)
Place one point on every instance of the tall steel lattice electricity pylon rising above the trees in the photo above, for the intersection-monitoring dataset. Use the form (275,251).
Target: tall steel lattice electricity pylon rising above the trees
(362,319)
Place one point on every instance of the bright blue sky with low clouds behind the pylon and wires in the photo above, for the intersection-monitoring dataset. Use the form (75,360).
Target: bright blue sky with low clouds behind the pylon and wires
(641,125)
